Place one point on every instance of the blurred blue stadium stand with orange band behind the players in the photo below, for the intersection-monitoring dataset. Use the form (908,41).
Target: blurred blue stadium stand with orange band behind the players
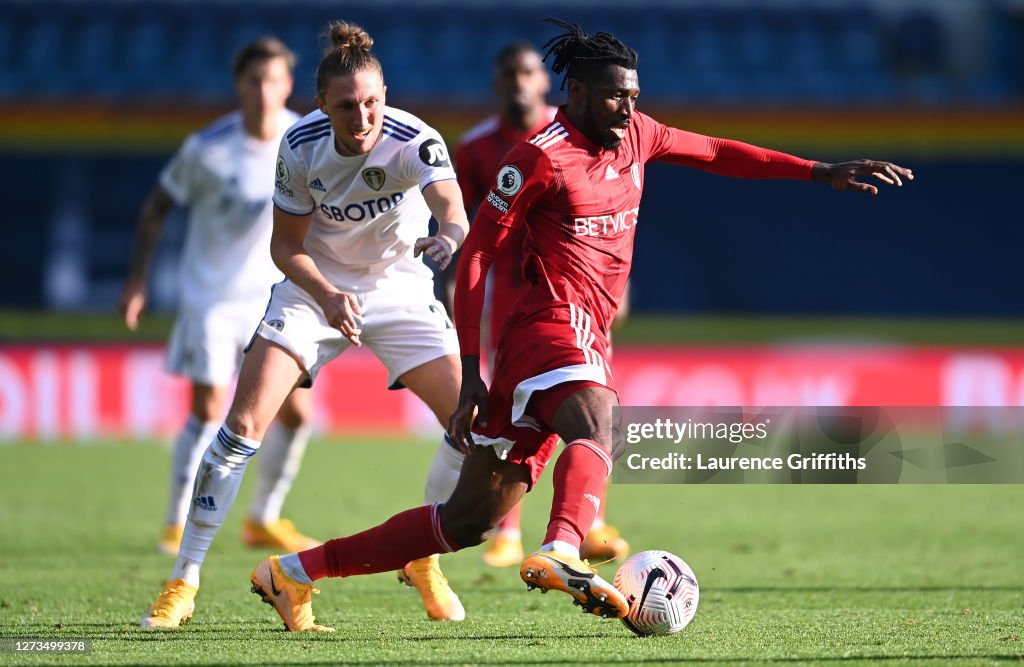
(871,78)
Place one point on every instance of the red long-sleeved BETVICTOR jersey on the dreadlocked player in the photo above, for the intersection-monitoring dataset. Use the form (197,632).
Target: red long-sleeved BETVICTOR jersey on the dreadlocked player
(579,204)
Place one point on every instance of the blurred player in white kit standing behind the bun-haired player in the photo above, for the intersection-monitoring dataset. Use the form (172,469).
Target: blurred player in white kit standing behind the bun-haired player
(225,176)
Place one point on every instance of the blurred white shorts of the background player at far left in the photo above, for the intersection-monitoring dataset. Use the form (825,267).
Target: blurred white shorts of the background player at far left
(206,346)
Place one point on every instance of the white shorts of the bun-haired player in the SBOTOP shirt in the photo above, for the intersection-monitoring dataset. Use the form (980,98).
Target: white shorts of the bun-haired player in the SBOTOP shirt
(404,329)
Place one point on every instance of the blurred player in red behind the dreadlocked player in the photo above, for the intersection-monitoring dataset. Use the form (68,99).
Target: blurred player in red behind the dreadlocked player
(521,85)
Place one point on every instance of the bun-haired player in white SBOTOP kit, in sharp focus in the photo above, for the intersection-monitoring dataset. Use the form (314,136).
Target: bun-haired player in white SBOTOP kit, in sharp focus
(357,184)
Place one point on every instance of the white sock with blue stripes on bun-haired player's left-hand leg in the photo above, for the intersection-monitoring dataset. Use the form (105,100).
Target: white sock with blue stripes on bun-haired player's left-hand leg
(217,487)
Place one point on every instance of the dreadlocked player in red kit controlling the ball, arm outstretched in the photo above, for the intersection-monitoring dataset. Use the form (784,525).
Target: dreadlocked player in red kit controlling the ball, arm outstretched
(576,187)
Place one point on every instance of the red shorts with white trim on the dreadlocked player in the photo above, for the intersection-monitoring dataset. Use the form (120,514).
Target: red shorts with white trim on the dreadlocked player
(540,362)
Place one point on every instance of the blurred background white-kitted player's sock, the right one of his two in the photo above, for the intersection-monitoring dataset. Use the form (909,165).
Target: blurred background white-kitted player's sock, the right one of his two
(283,449)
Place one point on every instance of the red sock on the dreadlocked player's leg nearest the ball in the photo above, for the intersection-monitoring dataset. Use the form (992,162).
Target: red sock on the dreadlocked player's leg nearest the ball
(581,478)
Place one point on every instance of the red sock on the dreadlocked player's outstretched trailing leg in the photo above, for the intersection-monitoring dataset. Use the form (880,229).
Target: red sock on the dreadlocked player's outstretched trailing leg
(411,535)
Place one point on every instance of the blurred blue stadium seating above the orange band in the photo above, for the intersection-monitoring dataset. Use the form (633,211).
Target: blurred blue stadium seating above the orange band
(812,53)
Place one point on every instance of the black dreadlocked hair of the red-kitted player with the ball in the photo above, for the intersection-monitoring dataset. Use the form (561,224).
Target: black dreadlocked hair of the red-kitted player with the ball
(581,56)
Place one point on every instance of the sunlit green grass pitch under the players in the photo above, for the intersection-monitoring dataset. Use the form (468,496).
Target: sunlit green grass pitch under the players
(790,575)
